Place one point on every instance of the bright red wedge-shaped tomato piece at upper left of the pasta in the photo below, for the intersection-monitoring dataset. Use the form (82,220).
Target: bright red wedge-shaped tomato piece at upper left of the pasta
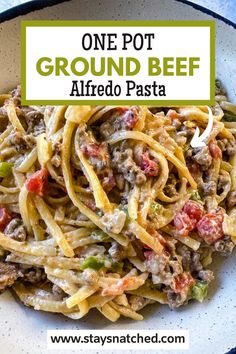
(38,182)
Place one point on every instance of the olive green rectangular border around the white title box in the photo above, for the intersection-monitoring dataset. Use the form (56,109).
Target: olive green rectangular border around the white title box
(128,23)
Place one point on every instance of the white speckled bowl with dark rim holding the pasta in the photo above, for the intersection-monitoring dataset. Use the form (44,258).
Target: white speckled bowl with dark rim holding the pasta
(211,324)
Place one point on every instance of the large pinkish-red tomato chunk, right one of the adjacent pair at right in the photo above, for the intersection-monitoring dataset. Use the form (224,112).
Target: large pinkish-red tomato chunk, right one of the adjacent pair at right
(210,227)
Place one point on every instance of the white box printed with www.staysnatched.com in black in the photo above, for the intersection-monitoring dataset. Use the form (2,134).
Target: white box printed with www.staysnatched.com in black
(118,339)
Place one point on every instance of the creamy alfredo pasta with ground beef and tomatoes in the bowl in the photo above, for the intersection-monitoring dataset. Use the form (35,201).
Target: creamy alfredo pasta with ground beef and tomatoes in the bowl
(109,207)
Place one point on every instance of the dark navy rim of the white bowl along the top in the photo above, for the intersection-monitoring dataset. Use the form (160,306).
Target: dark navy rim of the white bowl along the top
(25,8)
